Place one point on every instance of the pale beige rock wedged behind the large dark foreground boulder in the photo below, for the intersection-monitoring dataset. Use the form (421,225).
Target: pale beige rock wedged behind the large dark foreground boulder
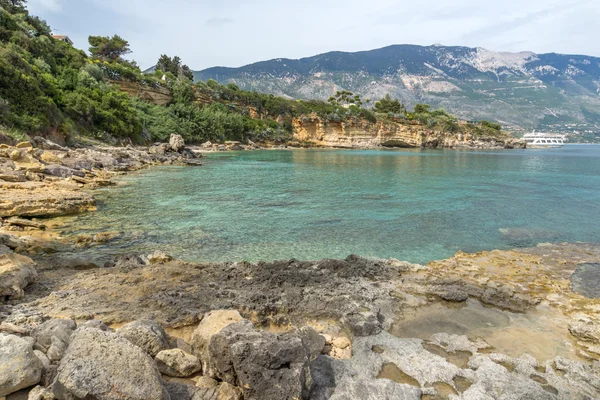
(212,323)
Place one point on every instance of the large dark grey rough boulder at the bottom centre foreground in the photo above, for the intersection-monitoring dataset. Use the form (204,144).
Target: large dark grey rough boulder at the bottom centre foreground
(254,360)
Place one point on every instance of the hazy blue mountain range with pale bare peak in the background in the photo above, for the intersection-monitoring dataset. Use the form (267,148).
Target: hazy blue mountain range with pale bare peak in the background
(516,89)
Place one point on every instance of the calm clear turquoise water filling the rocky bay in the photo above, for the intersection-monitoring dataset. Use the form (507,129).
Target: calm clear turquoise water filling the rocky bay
(415,205)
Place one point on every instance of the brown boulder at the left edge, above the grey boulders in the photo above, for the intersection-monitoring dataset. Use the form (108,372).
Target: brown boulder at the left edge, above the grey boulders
(16,272)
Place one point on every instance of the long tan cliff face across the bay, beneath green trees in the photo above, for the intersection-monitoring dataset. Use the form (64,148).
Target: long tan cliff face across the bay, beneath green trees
(363,134)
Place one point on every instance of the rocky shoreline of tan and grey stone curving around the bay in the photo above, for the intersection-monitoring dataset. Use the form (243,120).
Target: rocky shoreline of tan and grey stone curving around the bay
(497,325)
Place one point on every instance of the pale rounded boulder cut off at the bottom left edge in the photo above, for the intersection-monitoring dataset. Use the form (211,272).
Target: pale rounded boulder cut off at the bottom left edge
(19,366)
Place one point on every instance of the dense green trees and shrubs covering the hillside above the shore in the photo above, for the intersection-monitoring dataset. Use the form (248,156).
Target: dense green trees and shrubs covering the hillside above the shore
(47,86)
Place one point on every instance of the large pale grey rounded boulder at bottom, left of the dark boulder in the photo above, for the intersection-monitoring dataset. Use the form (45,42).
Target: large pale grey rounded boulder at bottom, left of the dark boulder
(104,366)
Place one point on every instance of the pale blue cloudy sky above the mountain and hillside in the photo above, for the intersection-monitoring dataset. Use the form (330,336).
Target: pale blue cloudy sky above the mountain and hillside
(208,33)
